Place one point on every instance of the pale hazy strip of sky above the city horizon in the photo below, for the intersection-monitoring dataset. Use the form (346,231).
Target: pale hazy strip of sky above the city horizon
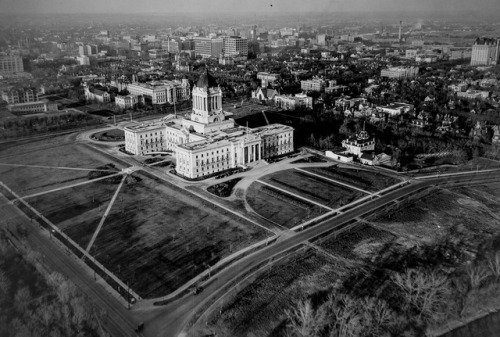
(241,6)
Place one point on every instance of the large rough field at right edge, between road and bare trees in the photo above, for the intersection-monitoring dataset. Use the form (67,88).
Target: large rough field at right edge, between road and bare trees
(470,214)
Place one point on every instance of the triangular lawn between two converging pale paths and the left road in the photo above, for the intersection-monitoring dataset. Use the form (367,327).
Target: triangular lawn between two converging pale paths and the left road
(77,210)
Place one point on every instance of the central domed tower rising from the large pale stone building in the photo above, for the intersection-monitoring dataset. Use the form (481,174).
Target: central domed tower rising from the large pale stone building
(207,100)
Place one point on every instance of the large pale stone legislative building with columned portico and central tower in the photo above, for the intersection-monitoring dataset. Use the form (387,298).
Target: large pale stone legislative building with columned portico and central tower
(208,141)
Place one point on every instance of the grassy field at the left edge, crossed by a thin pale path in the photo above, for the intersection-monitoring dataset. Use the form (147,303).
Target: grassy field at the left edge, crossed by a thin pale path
(26,180)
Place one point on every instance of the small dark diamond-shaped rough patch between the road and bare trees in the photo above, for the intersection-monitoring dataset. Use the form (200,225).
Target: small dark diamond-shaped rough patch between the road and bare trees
(360,242)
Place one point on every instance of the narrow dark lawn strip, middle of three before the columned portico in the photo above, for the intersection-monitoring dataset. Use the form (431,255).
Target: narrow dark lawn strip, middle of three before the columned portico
(313,188)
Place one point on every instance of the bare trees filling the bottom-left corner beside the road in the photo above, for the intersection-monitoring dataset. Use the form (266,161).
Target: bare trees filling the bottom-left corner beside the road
(37,302)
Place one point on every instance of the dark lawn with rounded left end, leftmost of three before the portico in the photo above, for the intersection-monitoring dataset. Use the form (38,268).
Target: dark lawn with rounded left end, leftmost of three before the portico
(280,208)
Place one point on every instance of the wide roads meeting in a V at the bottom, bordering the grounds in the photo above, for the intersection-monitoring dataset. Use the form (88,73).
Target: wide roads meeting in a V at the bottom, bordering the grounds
(170,320)
